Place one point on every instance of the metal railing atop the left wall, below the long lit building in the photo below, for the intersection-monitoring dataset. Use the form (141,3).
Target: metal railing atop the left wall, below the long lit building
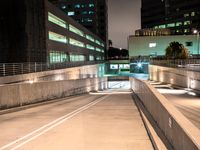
(9,69)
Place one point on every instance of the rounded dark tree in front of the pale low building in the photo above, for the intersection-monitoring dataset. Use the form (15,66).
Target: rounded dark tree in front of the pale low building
(176,50)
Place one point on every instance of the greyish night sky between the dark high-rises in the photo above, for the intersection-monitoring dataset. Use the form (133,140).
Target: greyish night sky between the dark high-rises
(123,20)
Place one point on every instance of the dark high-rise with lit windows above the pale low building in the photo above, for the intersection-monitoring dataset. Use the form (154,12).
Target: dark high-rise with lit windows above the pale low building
(180,16)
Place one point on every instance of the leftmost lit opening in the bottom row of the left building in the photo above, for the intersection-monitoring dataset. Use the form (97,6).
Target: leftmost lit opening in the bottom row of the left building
(57,57)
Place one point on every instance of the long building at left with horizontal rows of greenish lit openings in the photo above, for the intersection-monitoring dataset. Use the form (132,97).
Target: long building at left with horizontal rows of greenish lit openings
(37,31)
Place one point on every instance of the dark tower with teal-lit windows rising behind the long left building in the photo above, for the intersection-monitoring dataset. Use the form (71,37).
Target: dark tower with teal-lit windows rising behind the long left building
(92,14)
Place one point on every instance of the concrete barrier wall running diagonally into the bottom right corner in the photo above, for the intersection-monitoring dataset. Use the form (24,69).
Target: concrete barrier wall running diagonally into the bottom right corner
(179,131)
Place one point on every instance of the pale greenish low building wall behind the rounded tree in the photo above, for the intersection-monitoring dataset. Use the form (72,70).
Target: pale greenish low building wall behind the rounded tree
(146,46)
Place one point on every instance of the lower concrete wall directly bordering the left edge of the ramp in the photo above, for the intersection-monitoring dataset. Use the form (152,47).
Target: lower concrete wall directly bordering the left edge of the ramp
(20,94)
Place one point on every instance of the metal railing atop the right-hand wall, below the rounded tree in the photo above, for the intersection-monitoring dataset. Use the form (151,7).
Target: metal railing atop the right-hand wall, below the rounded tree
(189,64)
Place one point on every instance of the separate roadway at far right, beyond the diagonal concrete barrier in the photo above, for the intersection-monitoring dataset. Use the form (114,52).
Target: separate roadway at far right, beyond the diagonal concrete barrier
(186,100)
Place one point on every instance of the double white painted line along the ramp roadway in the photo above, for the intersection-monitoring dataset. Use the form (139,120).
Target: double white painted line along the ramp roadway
(50,125)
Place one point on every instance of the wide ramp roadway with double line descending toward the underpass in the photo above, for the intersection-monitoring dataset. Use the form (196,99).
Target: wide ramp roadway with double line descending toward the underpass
(105,120)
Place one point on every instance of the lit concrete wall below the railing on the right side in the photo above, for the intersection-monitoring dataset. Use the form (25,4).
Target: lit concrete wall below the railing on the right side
(175,76)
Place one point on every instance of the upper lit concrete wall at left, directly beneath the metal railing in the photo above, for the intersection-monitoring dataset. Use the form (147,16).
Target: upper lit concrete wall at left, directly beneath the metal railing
(65,74)
